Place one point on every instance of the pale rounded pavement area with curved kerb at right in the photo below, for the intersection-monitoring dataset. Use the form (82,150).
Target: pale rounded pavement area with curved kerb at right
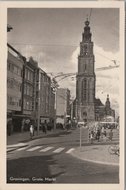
(97,153)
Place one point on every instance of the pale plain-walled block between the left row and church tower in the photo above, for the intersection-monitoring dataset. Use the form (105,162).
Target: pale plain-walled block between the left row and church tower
(62,105)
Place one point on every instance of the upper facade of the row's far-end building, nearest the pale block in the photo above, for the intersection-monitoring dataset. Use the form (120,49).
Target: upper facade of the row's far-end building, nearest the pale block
(45,98)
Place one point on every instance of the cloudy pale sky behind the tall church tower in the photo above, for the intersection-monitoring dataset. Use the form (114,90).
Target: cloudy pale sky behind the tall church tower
(52,37)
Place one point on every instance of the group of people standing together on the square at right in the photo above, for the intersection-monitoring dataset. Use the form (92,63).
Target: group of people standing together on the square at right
(100,134)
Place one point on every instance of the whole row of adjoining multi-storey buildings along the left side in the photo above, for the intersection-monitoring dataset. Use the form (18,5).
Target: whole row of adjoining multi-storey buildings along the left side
(30,95)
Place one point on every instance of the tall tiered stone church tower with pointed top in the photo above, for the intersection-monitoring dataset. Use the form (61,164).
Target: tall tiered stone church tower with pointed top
(85,84)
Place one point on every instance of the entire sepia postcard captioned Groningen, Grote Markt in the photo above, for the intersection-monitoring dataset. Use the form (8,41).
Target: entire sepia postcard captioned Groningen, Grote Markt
(64,113)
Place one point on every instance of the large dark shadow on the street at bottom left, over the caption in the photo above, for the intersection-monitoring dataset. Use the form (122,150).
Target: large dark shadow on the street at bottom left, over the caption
(23,170)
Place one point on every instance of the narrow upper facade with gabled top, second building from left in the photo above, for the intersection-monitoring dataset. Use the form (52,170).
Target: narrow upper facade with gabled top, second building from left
(29,88)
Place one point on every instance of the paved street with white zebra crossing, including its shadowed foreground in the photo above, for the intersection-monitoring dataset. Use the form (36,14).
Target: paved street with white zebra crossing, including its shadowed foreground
(49,160)
